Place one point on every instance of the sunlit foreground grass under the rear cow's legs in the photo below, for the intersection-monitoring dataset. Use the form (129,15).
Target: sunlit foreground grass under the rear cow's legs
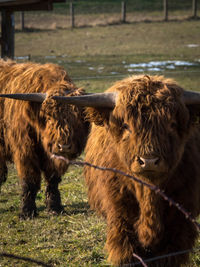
(65,240)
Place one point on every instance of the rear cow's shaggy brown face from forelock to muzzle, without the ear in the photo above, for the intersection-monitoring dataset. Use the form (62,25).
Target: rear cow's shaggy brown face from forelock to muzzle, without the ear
(64,130)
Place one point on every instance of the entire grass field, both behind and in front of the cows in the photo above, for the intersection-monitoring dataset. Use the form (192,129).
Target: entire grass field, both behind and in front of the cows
(95,57)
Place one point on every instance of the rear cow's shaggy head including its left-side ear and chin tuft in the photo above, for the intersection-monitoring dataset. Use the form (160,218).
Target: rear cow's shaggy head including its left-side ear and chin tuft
(61,129)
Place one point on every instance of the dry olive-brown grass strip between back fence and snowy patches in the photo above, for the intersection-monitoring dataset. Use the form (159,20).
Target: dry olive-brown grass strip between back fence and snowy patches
(141,41)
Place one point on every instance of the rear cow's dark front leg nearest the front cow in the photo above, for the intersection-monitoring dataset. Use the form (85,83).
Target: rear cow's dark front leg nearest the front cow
(53,199)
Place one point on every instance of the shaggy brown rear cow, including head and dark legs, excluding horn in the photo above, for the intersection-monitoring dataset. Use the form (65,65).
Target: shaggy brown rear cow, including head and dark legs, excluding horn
(31,132)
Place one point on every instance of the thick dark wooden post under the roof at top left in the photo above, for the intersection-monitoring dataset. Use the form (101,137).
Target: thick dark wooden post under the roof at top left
(7,34)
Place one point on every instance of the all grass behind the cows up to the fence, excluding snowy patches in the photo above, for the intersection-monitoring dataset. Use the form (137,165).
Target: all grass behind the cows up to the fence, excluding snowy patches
(108,47)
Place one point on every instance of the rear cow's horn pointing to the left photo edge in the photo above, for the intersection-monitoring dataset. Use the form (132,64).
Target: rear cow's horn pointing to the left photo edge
(34,97)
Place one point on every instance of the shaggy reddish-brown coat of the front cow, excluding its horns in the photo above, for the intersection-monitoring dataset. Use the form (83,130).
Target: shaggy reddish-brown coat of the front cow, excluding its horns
(149,119)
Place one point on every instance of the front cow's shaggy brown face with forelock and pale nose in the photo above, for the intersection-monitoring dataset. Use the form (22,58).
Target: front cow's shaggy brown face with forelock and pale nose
(149,127)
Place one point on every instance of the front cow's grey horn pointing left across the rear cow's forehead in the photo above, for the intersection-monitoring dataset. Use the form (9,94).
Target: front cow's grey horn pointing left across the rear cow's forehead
(98,100)
